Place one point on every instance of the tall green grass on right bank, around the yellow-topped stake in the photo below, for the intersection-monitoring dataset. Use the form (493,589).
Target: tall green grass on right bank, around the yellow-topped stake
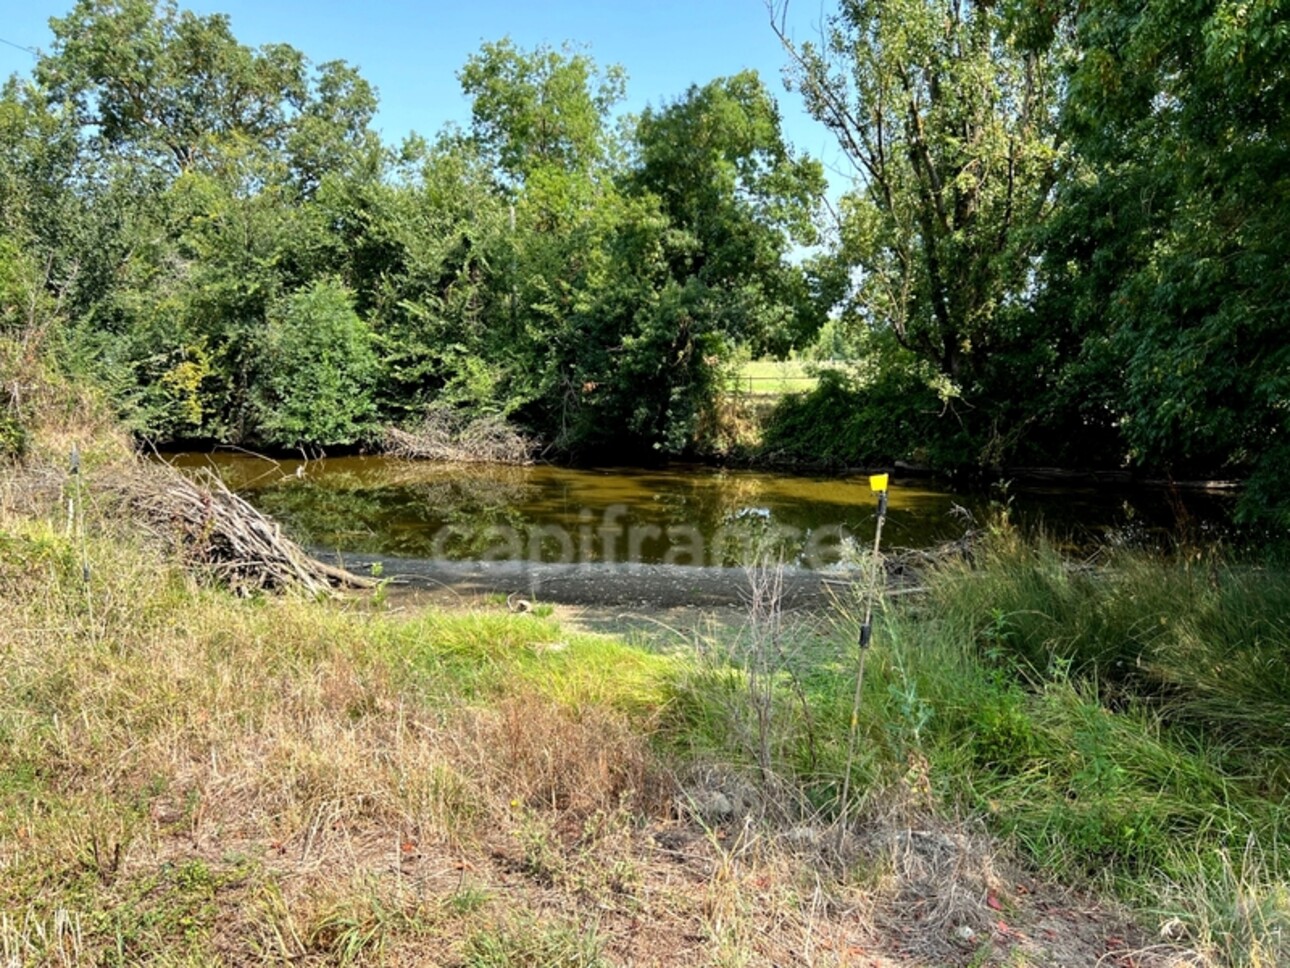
(1122,726)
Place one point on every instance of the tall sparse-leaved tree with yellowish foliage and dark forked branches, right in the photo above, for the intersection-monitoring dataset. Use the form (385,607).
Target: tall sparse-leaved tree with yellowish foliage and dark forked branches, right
(949,112)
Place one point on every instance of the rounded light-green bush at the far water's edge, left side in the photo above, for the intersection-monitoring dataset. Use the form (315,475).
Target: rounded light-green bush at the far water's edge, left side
(318,389)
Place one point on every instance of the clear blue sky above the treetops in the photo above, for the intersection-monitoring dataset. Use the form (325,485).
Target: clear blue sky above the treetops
(412,51)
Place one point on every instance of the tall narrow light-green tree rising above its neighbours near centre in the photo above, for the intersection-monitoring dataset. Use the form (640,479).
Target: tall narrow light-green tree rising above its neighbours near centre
(542,119)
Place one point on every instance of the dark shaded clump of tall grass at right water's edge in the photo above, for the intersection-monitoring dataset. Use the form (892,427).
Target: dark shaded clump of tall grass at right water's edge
(1218,665)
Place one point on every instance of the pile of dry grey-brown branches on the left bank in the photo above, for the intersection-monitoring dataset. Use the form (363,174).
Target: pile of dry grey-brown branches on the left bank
(223,535)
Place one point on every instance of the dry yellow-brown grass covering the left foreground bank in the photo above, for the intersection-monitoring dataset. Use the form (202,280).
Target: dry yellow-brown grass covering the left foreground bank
(170,756)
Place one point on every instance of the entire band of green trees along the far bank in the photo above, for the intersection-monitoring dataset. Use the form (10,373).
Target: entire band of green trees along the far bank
(1069,220)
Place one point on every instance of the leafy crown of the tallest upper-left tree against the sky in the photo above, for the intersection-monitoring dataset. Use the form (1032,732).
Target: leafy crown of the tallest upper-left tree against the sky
(176,91)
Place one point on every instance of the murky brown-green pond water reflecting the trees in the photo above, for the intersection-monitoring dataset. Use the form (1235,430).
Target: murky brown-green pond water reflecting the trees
(688,516)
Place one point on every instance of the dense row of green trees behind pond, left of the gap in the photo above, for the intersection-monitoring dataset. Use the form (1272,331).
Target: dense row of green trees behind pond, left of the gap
(269,273)
